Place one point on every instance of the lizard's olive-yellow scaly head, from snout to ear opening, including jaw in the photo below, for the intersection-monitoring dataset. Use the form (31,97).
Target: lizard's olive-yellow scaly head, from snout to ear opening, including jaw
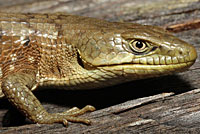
(136,52)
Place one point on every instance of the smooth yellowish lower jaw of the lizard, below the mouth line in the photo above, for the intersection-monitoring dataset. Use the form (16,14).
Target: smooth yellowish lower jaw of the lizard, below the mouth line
(137,71)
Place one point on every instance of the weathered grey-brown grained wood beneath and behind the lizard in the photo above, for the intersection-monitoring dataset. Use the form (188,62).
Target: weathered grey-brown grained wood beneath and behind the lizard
(136,108)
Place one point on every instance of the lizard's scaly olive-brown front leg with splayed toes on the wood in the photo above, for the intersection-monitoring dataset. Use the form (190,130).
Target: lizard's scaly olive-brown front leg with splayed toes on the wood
(16,88)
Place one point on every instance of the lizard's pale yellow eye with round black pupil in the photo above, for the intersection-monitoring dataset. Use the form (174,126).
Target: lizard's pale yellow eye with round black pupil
(138,46)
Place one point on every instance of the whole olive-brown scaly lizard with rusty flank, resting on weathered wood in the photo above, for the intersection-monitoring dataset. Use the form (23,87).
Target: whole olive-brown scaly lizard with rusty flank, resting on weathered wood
(74,52)
